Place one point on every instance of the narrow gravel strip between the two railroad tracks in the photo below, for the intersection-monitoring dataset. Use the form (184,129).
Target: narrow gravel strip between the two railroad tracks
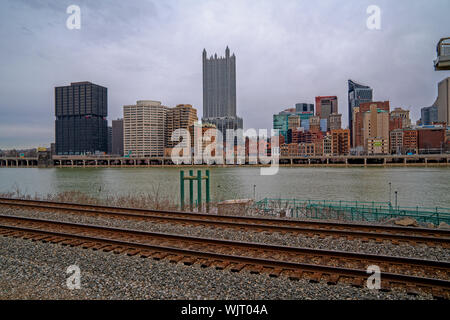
(385,248)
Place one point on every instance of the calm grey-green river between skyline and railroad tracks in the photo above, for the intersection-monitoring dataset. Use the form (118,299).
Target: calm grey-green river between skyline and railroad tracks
(416,186)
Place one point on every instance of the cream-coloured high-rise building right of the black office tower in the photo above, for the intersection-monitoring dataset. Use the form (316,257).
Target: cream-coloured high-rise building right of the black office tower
(144,126)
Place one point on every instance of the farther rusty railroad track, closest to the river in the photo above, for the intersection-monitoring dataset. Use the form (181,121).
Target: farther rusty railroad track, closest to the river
(379,233)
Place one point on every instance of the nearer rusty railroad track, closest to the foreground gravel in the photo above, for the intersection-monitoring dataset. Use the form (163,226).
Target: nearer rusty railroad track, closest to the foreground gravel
(316,265)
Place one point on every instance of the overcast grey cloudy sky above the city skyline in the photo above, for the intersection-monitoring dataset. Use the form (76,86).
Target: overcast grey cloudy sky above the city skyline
(287,52)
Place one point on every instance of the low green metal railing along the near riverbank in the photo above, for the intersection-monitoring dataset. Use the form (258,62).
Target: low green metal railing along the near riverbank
(352,210)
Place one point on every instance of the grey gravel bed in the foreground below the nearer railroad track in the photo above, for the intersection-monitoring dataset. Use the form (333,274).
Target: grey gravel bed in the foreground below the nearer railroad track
(36,270)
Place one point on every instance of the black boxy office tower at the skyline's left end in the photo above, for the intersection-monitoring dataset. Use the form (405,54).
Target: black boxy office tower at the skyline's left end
(81,126)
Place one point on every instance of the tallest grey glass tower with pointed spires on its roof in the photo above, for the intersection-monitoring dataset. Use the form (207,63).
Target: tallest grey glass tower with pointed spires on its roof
(219,92)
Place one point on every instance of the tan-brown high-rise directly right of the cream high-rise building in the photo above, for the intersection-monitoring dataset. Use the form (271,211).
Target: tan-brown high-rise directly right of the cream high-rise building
(181,117)
